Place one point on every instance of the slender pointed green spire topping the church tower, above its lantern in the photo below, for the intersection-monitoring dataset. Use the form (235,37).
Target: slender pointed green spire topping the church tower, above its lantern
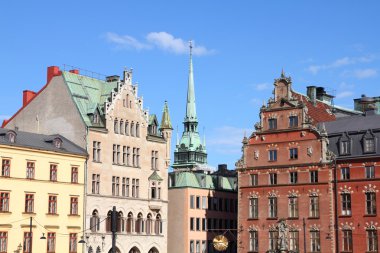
(191,113)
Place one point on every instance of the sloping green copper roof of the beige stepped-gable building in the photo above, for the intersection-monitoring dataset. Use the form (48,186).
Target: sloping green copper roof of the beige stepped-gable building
(89,95)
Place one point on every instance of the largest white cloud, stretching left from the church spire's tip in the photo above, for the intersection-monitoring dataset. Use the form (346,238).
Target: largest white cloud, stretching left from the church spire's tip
(161,40)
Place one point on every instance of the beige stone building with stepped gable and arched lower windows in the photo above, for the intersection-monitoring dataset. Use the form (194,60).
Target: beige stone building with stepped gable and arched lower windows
(129,153)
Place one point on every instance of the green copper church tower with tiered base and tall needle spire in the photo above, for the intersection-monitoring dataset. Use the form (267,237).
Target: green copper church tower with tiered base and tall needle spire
(190,152)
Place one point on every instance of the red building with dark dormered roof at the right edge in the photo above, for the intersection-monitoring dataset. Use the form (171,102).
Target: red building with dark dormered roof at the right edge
(354,143)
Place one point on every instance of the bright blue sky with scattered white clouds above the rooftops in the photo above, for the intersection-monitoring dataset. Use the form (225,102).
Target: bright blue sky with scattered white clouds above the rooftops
(240,47)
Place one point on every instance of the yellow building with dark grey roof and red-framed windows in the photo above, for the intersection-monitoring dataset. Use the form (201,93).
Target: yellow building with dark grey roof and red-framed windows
(42,182)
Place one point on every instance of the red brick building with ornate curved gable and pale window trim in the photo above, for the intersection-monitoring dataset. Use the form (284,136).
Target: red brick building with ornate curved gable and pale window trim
(285,174)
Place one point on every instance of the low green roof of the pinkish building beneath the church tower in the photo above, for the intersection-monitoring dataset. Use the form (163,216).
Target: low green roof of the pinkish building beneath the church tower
(200,180)
